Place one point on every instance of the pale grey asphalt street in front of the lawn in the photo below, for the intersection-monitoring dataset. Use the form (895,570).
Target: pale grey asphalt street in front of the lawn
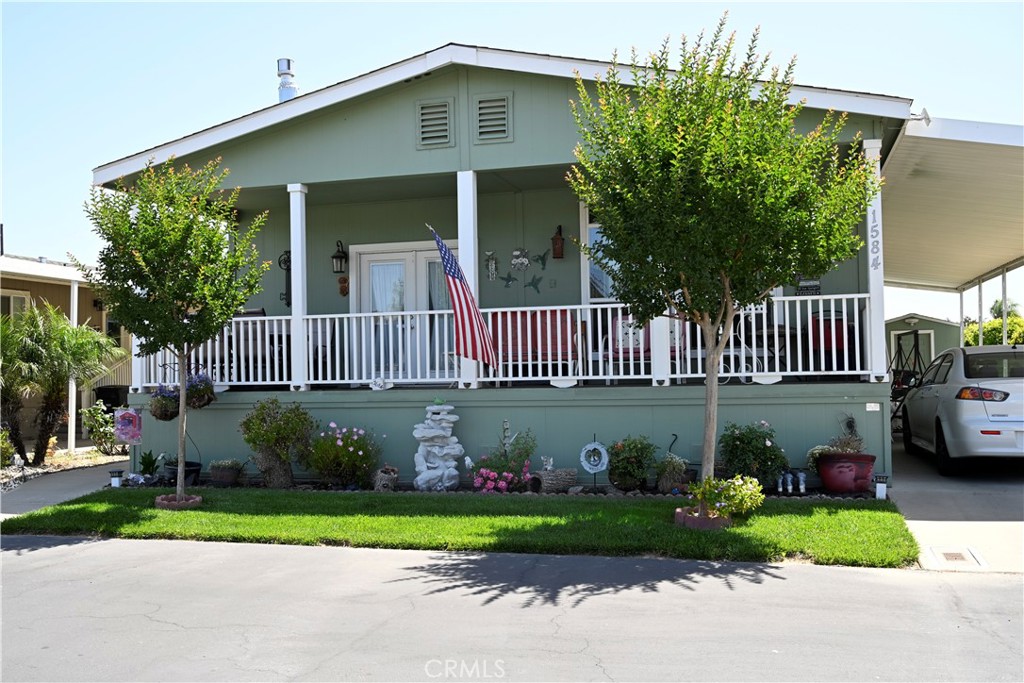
(77,610)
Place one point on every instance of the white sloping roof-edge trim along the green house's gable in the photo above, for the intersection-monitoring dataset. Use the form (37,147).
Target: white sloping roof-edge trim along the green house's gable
(820,99)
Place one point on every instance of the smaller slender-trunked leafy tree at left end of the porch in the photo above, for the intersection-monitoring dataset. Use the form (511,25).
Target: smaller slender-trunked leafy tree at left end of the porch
(177,266)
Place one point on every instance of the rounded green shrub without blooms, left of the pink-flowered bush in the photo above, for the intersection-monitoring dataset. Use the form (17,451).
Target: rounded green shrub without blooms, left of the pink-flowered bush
(278,435)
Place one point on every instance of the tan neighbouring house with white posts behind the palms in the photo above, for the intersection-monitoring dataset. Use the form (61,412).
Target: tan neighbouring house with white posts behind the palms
(29,282)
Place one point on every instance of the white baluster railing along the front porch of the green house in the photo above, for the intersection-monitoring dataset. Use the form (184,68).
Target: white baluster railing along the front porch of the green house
(565,346)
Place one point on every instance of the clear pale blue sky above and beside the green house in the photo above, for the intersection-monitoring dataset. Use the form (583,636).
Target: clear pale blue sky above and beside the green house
(89,83)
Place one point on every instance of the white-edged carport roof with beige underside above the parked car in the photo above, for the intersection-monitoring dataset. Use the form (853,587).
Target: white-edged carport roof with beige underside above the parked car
(953,204)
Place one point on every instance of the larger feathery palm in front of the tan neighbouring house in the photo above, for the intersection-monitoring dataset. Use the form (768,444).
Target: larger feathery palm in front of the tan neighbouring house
(55,353)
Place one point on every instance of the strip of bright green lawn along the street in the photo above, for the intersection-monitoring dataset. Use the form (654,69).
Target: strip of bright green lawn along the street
(861,533)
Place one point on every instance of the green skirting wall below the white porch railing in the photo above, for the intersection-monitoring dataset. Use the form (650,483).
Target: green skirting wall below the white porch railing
(564,420)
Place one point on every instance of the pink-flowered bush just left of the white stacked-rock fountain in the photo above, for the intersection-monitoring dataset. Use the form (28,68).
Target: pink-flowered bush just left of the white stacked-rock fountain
(346,457)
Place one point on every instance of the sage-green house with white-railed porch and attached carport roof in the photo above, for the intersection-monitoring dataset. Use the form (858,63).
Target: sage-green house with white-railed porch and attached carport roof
(478,143)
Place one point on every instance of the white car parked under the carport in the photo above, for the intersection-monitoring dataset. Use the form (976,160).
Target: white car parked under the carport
(969,403)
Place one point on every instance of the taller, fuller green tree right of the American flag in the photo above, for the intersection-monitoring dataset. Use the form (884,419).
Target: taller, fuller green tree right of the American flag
(707,195)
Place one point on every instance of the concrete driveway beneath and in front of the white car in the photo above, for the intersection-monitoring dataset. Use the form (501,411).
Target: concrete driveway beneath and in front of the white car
(971,523)
